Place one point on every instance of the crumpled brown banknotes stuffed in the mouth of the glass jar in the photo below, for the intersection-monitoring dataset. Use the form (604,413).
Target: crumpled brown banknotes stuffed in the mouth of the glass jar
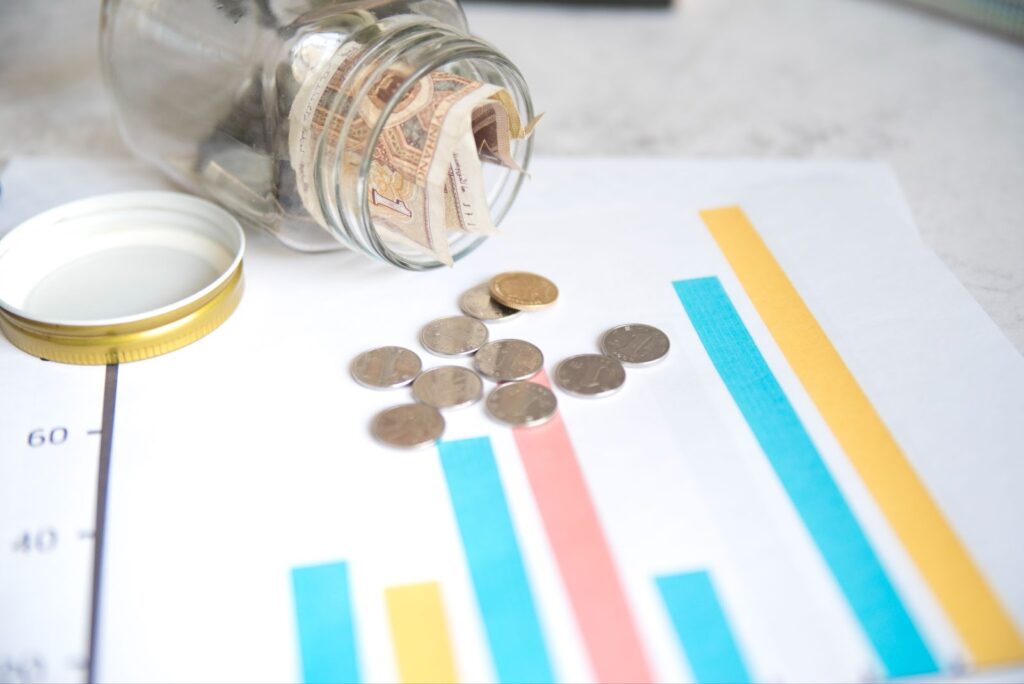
(426,177)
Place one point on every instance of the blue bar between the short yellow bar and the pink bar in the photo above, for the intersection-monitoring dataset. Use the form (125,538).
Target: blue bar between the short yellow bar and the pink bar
(503,591)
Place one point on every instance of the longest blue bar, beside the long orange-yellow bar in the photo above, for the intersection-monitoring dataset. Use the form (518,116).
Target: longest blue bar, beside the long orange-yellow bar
(806,479)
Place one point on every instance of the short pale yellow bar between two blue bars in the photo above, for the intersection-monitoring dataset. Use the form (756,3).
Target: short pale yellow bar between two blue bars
(420,634)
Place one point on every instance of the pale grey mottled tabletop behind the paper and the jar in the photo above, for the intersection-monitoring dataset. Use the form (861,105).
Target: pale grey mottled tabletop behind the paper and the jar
(944,104)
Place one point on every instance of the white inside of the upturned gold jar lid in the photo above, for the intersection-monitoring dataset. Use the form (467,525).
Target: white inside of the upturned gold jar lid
(117,259)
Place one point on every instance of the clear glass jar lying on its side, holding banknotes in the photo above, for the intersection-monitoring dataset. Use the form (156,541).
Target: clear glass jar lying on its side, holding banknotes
(211,92)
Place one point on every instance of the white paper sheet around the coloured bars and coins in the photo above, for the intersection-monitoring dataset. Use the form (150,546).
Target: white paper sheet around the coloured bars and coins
(248,454)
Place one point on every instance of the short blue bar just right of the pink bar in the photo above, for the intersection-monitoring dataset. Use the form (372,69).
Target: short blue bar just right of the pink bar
(703,630)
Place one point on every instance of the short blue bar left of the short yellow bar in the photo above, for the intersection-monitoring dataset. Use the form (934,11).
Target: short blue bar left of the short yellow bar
(324,613)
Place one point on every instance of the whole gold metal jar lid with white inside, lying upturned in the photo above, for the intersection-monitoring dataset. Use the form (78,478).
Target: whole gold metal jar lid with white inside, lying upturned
(119,278)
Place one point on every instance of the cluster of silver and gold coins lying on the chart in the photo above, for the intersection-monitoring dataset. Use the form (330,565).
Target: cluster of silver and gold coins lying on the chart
(509,363)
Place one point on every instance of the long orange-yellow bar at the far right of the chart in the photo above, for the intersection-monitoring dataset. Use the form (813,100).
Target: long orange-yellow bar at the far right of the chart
(970,603)
